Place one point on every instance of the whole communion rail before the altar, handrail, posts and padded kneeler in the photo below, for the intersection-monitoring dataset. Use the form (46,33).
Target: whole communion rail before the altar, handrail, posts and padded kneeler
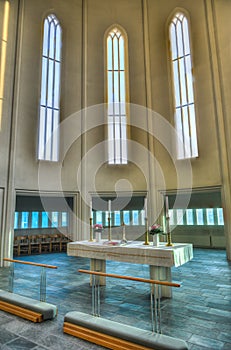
(117,336)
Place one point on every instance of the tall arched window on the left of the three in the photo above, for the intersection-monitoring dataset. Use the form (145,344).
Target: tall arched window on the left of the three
(50,90)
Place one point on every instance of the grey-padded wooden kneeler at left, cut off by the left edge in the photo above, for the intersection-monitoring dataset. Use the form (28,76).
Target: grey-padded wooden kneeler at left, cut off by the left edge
(31,309)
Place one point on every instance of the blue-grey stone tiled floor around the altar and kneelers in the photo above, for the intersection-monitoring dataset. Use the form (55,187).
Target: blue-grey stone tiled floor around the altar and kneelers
(199,312)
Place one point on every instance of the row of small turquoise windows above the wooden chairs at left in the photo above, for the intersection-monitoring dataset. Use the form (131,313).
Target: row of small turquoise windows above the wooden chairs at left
(36,219)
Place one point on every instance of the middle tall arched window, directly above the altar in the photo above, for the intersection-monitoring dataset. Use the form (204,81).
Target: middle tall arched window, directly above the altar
(117,95)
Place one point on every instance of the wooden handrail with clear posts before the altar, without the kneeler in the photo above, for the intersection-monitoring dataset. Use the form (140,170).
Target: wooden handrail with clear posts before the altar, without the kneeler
(154,294)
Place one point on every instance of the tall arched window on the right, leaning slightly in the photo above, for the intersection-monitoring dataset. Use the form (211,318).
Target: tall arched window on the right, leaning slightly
(181,62)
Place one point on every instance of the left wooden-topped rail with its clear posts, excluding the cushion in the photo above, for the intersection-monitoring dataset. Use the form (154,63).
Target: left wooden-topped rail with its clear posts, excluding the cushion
(42,275)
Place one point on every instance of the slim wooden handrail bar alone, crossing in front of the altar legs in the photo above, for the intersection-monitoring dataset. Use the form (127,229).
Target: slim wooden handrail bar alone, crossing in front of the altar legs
(130,278)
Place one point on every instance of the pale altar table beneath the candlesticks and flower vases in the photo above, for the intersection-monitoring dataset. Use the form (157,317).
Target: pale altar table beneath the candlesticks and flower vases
(160,259)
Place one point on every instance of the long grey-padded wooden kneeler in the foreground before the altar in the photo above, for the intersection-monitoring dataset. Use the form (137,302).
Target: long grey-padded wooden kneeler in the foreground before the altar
(117,336)
